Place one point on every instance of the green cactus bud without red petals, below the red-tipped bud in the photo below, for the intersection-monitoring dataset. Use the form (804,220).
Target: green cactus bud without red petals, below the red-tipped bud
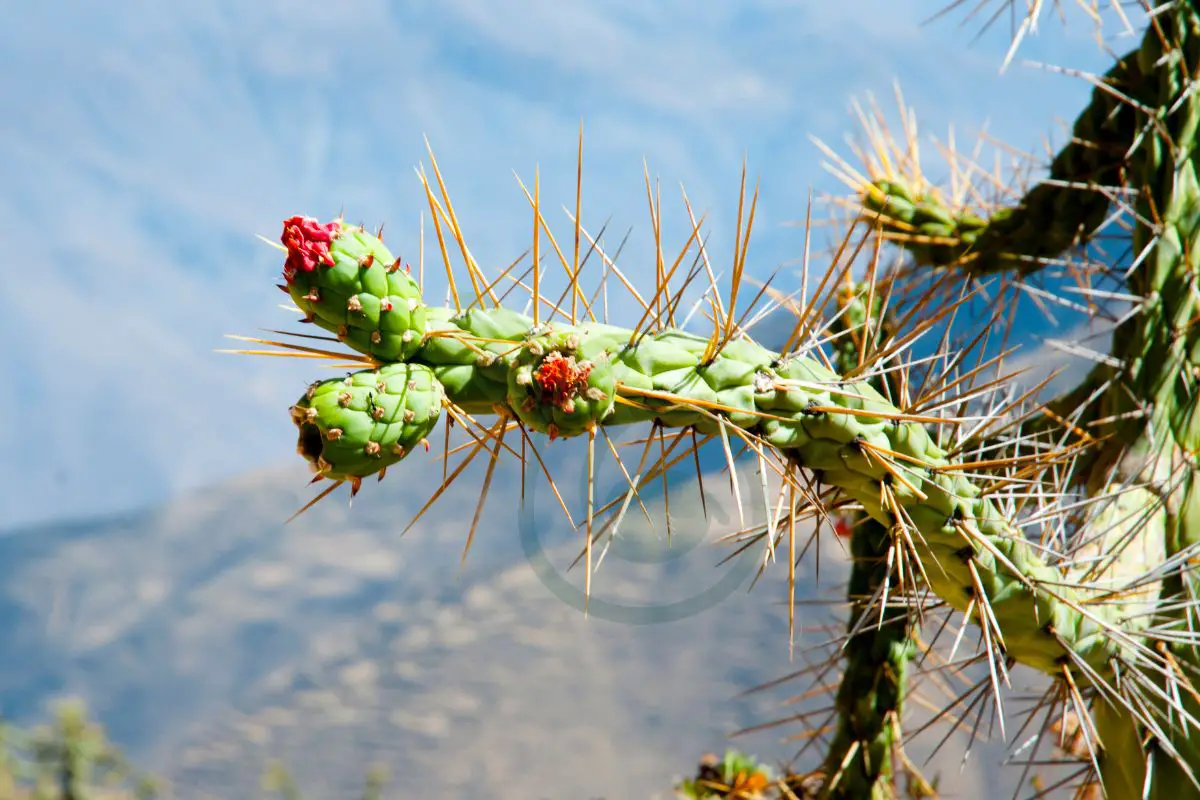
(357,426)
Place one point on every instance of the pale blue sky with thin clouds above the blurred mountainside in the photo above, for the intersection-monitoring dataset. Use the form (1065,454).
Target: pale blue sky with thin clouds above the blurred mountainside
(143,149)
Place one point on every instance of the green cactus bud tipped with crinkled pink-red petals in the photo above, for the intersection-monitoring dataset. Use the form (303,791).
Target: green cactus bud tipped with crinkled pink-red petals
(349,284)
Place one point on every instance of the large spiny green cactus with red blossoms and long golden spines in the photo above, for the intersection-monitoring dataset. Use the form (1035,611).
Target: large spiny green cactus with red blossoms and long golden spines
(1065,532)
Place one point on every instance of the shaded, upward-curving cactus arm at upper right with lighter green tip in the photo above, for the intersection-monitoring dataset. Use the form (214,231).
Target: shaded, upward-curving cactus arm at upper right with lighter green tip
(1057,215)
